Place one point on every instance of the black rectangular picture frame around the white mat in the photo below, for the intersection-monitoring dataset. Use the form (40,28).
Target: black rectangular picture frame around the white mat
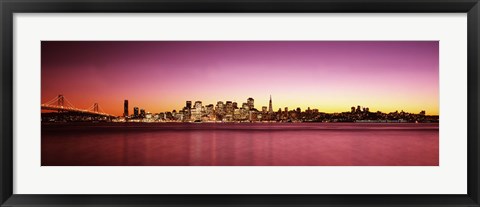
(9,7)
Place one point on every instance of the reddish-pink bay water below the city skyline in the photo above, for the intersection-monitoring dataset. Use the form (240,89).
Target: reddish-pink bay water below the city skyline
(280,144)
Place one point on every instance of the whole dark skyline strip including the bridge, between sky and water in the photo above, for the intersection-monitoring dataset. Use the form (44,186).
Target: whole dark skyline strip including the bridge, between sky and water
(228,111)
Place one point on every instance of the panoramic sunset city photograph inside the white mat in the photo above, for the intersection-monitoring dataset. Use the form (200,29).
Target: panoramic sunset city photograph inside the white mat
(240,103)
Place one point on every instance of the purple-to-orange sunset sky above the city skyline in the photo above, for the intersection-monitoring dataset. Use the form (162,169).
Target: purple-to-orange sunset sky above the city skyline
(161,75)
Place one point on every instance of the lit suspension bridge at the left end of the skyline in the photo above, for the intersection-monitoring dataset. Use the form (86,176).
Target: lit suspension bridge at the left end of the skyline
(61,104)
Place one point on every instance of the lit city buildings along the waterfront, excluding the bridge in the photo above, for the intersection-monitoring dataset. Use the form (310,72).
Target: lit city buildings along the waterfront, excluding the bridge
(230,112)
